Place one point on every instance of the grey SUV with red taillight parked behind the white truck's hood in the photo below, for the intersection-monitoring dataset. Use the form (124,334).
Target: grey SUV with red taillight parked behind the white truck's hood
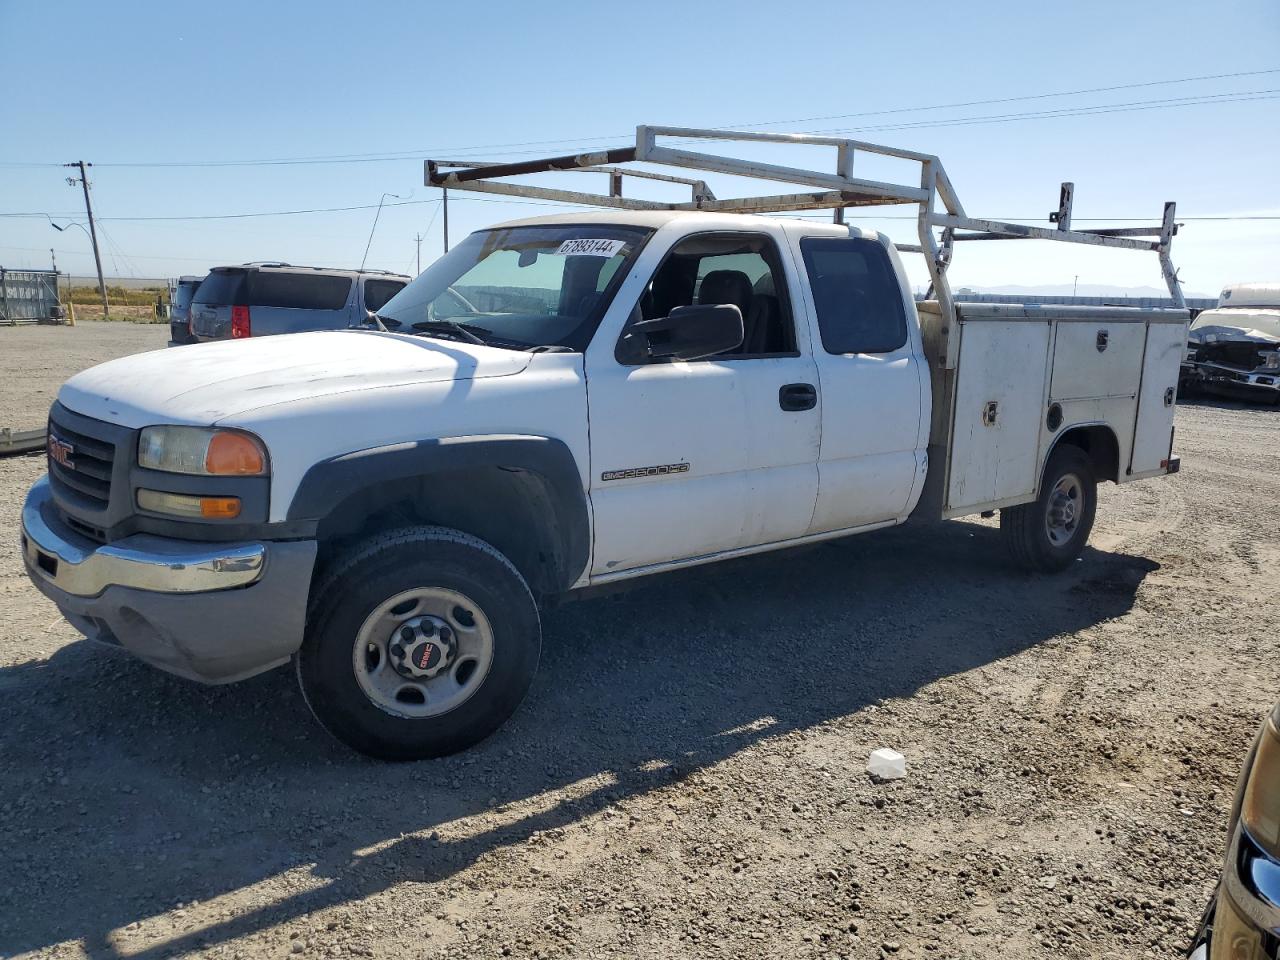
(258,300)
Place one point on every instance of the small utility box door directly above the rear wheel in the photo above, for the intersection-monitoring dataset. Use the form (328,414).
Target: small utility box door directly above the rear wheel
(1098,359)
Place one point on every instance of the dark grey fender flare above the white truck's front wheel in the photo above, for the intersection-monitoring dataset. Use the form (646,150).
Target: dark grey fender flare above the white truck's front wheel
(330,483)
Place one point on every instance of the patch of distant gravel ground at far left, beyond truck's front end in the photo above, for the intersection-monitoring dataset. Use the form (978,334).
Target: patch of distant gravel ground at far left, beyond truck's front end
(36,359)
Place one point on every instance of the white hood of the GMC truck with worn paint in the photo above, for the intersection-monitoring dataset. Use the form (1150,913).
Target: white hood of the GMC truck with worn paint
(208,382)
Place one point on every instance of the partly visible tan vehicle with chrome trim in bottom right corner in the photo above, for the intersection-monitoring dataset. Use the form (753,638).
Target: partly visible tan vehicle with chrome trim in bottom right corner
(1244,915)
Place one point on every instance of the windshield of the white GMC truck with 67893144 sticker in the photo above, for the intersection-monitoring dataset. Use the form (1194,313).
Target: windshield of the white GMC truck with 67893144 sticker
(522,286)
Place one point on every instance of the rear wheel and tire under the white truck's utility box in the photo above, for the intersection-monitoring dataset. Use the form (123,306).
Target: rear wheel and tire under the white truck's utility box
(1049,534)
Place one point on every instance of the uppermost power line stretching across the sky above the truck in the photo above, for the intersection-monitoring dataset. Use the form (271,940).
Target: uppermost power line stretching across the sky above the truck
(392,157)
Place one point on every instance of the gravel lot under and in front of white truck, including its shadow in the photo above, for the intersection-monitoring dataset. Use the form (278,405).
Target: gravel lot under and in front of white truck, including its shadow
(688,776)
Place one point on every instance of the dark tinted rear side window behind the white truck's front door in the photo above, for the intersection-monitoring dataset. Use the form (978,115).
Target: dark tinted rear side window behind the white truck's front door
(857,295)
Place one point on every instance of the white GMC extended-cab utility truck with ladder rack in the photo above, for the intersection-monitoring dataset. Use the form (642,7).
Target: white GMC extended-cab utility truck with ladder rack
(572,401)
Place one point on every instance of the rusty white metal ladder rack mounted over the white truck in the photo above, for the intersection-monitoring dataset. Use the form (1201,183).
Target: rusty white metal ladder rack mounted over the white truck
(836,190)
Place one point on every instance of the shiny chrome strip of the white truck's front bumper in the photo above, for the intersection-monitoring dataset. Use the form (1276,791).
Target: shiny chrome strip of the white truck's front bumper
(84,569)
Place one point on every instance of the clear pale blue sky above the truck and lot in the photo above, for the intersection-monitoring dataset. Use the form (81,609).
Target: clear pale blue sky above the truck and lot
(168,83)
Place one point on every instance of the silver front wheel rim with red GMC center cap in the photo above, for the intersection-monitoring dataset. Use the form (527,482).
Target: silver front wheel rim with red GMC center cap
(415,682)
